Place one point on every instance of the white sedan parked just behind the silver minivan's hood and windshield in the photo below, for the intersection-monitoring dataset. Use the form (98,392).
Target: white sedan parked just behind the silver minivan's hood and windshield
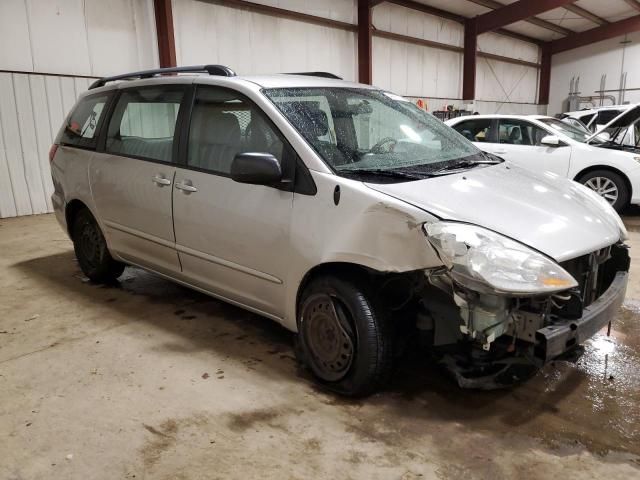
(542,143)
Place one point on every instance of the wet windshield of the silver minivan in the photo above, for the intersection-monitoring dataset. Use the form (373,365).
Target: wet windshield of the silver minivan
(358,130)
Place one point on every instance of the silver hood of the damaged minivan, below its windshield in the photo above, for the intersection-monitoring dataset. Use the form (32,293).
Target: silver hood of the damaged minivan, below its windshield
(551,214)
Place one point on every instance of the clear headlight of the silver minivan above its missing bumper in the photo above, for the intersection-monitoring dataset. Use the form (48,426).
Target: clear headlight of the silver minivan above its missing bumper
(486,261)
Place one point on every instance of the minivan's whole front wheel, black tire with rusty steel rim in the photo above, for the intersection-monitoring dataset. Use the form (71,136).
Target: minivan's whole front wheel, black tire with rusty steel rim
(366,365)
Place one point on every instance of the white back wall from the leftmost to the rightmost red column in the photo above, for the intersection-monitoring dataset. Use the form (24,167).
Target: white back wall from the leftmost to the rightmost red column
(251,42)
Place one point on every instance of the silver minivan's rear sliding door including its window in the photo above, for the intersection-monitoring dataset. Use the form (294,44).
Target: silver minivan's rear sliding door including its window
(132,180)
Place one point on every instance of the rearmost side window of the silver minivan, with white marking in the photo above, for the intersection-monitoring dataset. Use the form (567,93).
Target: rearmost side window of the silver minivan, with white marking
(81,127)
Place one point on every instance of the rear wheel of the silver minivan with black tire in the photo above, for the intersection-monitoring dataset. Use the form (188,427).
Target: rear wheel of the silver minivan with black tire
(91,250)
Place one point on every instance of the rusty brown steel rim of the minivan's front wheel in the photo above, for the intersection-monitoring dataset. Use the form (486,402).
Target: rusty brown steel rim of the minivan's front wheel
(328,337)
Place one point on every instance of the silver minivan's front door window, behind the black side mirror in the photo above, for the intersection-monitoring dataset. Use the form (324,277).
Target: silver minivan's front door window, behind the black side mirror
(225,123)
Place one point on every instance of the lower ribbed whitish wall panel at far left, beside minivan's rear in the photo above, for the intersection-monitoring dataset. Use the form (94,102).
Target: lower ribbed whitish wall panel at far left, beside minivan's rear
(32,109)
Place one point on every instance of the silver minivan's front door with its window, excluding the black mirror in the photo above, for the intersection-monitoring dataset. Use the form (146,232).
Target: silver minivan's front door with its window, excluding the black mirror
(232,238)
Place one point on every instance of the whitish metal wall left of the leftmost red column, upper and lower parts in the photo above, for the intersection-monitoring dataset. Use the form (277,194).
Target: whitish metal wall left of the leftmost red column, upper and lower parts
(73,38)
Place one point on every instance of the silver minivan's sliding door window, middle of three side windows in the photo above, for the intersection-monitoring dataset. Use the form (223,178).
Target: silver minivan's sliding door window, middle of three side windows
(143,123)
